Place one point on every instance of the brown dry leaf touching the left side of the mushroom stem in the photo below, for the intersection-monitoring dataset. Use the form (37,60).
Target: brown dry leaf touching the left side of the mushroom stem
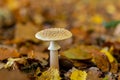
(34,51)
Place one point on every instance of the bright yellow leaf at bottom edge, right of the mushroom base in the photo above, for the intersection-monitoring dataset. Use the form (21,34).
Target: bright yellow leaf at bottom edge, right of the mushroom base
(78,75)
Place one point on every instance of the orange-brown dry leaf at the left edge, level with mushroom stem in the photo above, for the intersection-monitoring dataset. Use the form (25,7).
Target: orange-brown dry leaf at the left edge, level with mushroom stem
(6,52)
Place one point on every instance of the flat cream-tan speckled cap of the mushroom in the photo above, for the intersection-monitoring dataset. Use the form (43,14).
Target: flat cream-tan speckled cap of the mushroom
(53,34)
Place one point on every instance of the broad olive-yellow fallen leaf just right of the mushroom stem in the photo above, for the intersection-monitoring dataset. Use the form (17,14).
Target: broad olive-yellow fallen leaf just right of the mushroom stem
(79,52)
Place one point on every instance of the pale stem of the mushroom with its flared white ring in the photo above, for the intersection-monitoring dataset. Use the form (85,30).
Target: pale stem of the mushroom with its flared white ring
(54,61)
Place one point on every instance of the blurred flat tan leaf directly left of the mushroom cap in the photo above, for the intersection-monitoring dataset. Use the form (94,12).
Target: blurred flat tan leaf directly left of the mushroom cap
(25,32)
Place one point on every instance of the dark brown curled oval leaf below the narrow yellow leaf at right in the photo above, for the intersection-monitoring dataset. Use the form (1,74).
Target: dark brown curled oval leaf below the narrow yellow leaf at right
(101,61)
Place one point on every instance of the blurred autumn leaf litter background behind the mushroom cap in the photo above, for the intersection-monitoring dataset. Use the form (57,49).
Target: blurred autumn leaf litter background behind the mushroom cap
(90,21)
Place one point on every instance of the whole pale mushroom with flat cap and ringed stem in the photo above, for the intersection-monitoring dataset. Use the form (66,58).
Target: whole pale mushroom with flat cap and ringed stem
(53,35)
